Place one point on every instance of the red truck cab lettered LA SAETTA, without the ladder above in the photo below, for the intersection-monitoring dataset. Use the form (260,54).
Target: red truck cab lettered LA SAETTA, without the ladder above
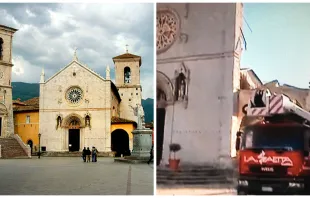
(274,159)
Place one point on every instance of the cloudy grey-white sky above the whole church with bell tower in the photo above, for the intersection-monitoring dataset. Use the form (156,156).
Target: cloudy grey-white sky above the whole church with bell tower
(49,33)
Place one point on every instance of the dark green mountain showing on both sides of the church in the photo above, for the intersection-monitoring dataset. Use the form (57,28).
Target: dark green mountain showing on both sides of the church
(26,91)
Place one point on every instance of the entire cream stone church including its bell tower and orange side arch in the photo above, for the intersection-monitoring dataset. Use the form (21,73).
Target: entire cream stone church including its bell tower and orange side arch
(79,108)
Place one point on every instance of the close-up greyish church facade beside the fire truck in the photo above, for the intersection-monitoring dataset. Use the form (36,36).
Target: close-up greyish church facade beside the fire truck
(198,73)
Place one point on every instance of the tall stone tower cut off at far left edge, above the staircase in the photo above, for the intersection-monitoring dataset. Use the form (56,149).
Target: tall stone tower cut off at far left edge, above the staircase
(6,109)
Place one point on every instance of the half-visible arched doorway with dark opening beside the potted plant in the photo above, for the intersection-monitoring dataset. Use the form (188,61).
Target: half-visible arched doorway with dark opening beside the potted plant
(164,97)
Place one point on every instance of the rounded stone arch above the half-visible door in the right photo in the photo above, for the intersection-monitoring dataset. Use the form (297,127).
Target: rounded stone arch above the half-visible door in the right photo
(164,88)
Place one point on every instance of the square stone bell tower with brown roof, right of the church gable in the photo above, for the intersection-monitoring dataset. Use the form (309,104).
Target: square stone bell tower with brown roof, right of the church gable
(127,80)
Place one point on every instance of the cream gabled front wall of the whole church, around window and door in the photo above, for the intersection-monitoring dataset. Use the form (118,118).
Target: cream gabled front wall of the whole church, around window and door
(96,102)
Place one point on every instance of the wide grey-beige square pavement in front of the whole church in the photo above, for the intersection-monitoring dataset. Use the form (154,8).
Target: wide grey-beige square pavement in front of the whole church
(71,176)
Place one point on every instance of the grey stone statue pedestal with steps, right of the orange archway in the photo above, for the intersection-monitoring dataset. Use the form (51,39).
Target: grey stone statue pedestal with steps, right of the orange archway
(142,143)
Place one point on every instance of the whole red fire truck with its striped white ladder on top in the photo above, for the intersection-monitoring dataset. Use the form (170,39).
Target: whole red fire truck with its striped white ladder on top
(274,153)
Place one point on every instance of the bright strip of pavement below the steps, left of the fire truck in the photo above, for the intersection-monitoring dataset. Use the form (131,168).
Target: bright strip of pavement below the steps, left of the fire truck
(195,190)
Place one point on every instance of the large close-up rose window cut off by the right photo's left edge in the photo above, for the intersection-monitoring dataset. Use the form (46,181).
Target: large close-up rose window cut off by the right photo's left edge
(167,26)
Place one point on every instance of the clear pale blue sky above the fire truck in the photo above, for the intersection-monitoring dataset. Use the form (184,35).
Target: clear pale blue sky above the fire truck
(279,45)
